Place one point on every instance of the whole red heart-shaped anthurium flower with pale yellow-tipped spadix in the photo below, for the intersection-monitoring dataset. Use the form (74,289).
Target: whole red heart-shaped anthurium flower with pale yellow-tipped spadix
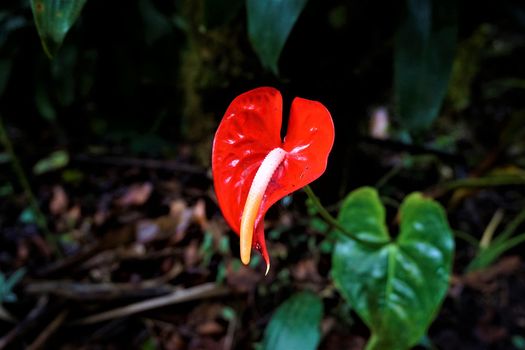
(253,168)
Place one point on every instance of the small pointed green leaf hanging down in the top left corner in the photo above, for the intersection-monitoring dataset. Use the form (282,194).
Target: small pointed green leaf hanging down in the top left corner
(53,19)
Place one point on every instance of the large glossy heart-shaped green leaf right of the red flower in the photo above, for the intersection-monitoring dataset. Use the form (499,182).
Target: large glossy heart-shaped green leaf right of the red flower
(396,285)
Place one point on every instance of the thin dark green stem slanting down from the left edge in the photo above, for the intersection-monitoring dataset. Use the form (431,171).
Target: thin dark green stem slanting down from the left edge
(40,218)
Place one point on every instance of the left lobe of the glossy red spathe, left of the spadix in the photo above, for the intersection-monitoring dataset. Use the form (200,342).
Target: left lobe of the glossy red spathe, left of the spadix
(249,130)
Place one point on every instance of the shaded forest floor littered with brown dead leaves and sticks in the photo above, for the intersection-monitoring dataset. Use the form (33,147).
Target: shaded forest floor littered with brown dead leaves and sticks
(140,257)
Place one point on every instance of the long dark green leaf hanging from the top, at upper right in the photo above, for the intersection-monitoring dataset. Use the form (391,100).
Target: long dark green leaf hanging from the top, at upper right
(424,52)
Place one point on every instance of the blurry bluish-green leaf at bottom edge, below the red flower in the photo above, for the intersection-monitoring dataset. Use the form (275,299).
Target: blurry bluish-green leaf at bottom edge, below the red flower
(296,324)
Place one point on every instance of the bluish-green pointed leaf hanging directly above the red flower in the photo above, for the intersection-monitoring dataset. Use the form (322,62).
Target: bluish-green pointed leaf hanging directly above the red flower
(269,25)
